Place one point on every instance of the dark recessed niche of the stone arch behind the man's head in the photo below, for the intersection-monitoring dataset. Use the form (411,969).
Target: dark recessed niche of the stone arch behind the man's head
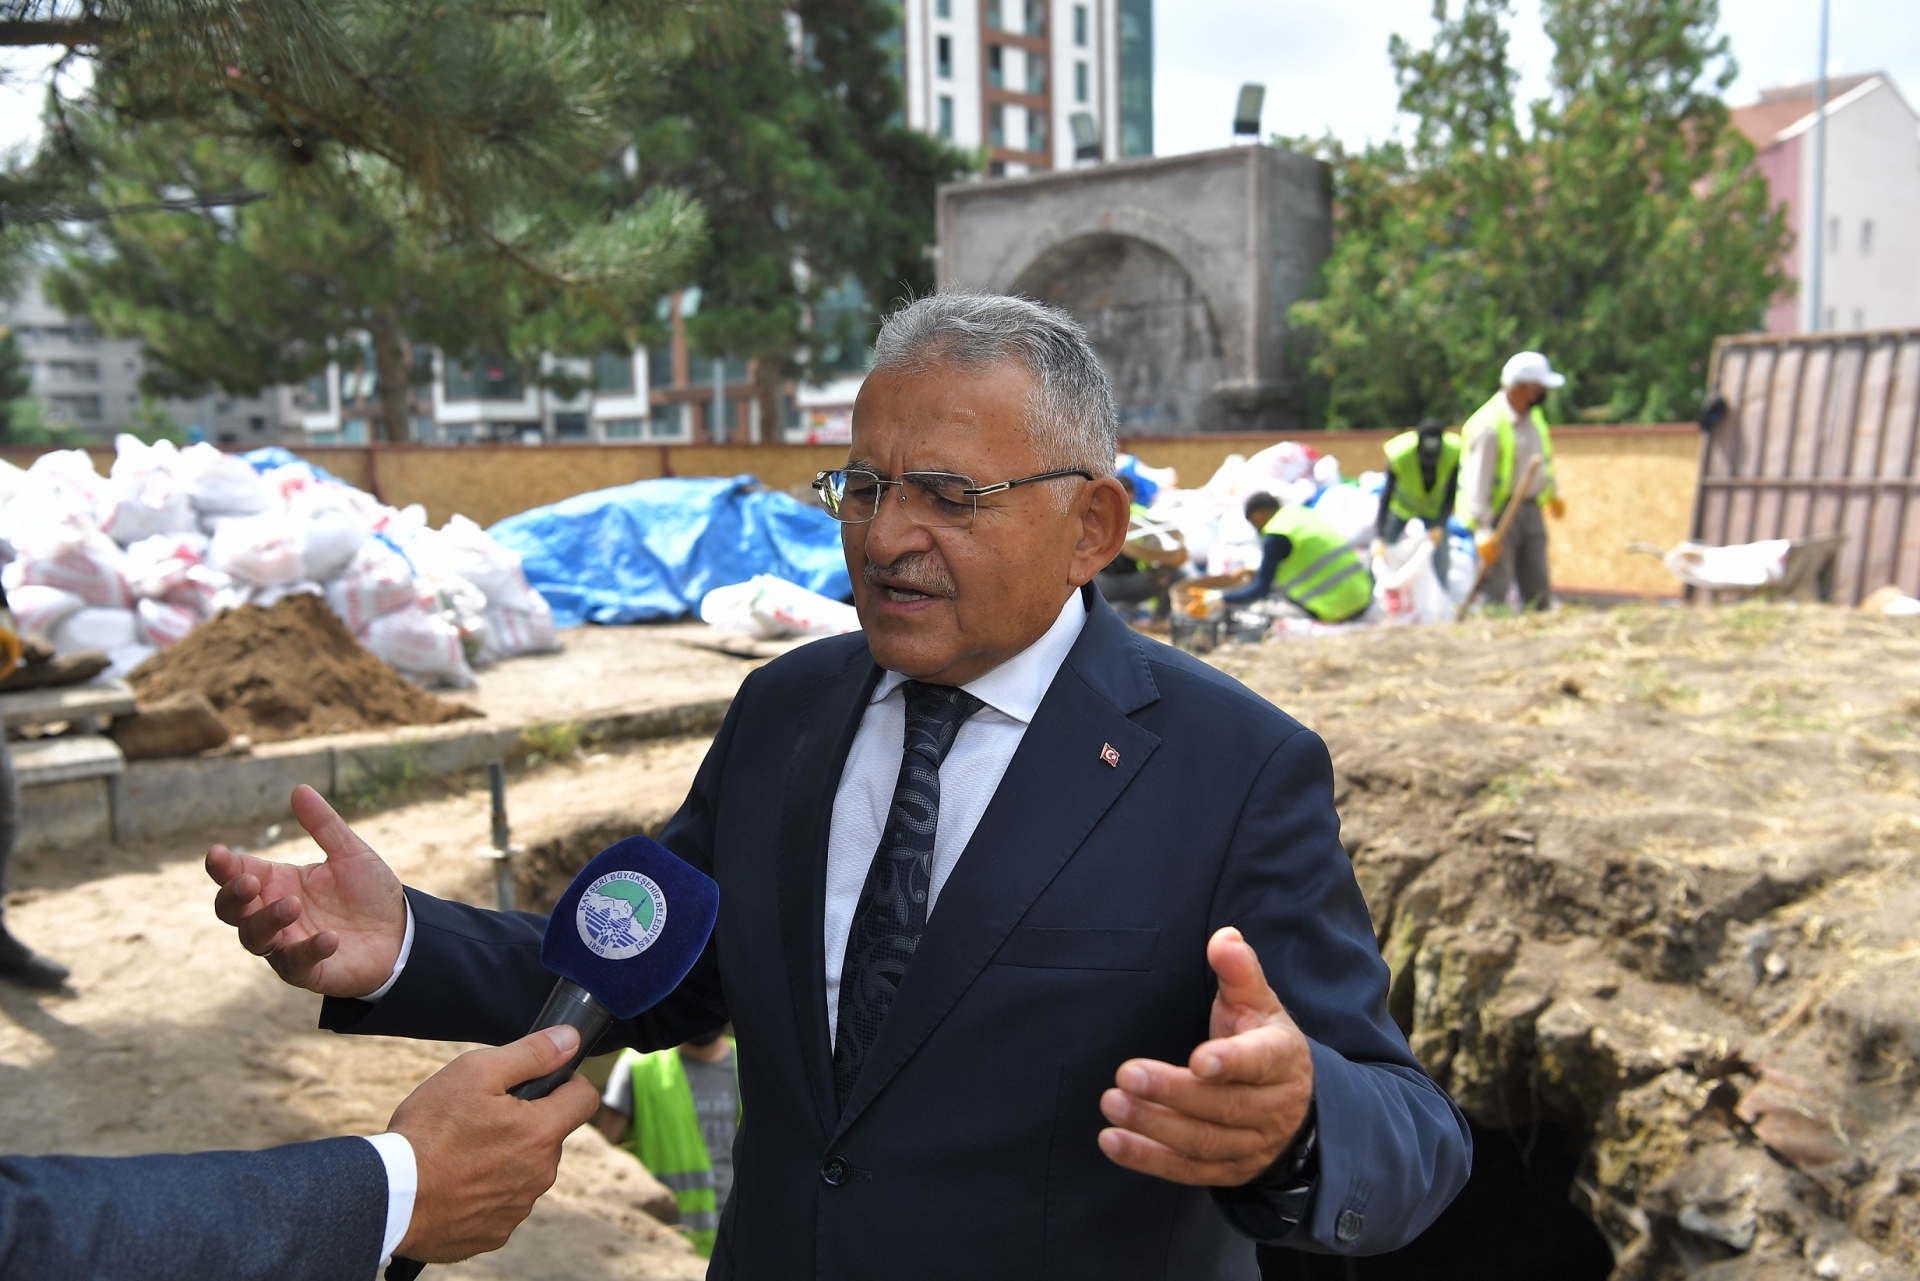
(1149,322)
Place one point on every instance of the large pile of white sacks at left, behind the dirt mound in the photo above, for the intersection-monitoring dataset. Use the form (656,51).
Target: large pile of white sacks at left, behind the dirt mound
(170,539)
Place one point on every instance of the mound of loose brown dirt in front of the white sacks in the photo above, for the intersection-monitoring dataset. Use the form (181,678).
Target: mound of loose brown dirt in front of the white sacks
(291,671)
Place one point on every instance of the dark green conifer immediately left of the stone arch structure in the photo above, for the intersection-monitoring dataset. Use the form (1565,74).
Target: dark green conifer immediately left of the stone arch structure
(794,145)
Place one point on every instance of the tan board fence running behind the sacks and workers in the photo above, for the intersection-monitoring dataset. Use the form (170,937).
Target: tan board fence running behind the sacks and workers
(1623,485)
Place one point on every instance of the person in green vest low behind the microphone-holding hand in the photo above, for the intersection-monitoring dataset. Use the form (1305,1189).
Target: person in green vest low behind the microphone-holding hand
(677,1111)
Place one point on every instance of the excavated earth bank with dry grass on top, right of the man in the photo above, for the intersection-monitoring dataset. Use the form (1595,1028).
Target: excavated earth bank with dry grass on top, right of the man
(1650,881)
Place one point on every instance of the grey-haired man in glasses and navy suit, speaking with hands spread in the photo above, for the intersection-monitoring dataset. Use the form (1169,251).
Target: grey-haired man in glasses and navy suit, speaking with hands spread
(1038,936)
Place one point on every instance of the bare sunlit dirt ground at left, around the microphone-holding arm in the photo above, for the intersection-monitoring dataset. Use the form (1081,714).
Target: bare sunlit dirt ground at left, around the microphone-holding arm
(176,1040)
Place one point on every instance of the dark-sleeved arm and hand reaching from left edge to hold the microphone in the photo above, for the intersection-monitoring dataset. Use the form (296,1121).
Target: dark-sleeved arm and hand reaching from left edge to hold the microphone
(456,1172)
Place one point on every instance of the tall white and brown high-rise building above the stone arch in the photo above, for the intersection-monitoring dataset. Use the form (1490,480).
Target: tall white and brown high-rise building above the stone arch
(1038,84)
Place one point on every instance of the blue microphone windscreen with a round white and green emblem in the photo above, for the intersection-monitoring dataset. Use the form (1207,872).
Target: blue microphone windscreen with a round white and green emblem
(633,925)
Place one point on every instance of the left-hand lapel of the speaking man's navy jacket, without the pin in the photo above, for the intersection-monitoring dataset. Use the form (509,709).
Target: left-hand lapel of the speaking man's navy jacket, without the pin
(828,721)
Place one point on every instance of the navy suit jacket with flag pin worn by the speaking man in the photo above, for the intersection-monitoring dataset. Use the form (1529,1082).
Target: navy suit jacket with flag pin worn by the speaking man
(1070,936)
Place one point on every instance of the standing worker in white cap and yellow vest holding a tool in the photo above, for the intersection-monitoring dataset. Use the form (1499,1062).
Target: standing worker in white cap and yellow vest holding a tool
(1499,441)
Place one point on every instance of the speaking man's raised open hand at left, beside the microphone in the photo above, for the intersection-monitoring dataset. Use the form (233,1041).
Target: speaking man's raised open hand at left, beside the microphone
(327,927)
